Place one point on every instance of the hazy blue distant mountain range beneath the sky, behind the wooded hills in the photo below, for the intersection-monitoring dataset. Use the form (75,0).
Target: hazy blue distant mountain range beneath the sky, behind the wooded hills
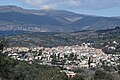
(17,18)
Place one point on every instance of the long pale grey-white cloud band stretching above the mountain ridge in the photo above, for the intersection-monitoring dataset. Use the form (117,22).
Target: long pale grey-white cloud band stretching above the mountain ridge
(73,4)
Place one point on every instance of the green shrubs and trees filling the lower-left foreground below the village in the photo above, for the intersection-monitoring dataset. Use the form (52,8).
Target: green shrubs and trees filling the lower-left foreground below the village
(11,69)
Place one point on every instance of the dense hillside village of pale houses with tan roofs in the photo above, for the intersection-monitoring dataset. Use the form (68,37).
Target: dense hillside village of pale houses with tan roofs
(68,57)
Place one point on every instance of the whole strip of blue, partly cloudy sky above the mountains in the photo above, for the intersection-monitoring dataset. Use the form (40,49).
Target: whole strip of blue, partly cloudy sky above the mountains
(90,7)
